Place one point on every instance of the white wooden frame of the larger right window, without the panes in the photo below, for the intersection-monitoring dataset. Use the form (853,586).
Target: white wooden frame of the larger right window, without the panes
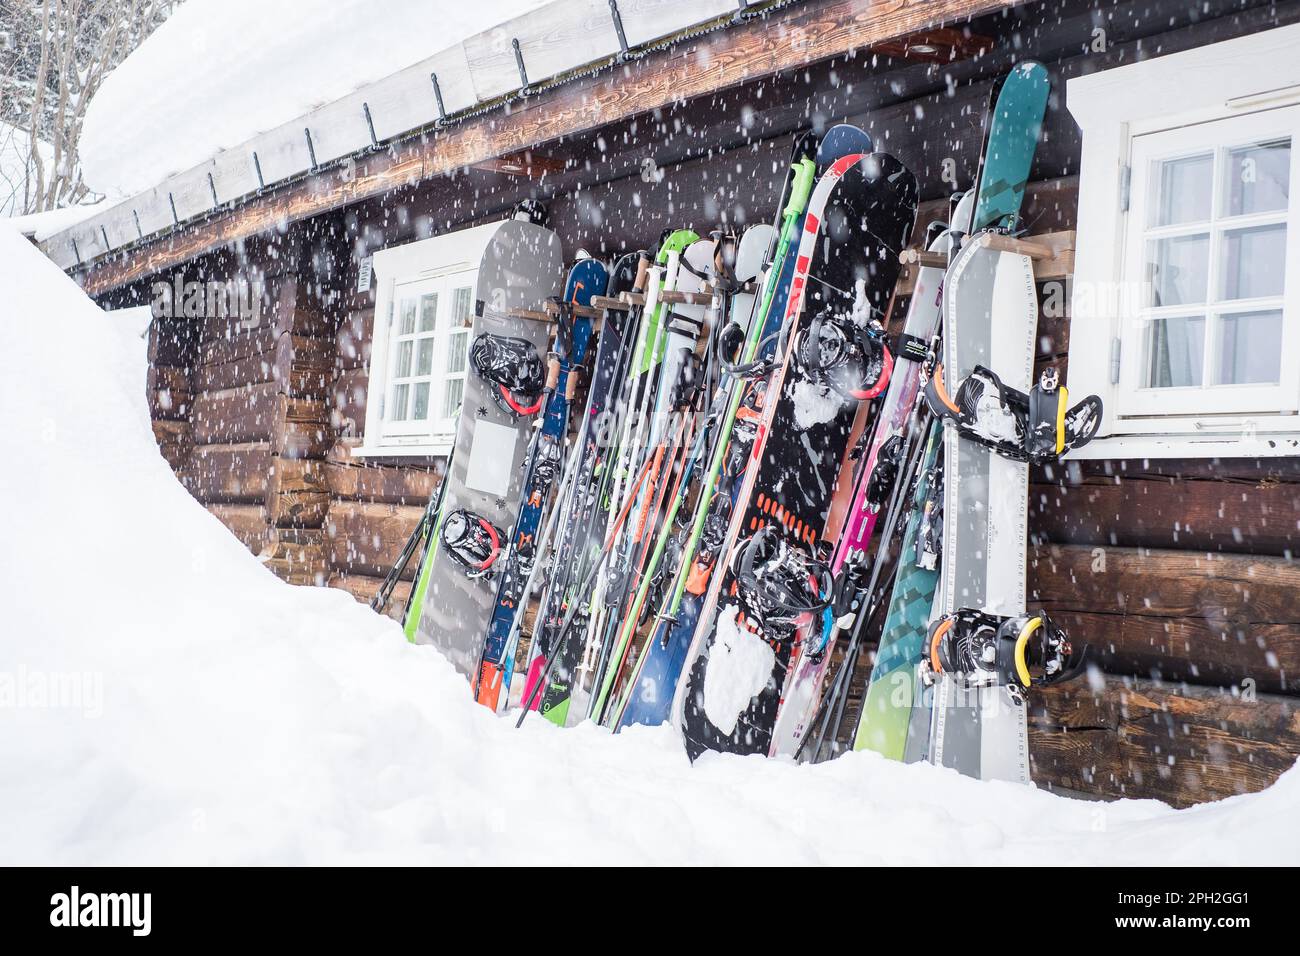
(1190,102)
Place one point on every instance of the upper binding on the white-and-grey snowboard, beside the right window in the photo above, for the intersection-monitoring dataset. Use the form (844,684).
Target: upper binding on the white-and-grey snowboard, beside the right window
(1038,427)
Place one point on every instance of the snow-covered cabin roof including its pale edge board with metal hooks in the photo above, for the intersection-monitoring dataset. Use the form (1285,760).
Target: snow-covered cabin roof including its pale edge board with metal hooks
(141,133)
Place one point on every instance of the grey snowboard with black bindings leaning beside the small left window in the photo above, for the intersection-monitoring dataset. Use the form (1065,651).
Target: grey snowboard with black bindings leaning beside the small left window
(452,604)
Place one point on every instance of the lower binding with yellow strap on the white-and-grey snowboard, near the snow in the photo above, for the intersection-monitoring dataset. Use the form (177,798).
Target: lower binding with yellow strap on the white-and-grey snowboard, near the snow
(994,651)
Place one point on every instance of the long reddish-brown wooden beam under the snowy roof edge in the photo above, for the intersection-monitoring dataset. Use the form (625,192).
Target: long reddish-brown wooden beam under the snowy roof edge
(788,38)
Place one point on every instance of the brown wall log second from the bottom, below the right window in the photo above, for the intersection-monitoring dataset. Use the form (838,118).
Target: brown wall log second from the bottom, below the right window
(1221,620)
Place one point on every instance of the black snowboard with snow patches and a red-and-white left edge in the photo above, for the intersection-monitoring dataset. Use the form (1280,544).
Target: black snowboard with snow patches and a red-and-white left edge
(859,222)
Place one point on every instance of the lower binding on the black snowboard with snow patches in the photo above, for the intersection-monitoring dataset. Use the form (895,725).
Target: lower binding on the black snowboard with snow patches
(779,585)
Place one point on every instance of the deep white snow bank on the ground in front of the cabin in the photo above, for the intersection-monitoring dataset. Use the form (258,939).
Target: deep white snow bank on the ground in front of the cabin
(166,699)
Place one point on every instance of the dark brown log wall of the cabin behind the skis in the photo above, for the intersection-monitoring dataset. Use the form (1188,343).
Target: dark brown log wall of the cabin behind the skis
(1180,573)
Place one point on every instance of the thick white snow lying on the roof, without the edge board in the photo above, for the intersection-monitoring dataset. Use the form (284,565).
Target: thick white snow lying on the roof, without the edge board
(198,85)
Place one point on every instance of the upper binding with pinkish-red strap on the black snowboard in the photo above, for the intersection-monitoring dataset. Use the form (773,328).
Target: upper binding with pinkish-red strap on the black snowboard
(846,356)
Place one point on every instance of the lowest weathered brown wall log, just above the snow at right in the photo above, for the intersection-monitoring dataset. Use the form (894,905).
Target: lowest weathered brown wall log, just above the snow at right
(1146,739)
